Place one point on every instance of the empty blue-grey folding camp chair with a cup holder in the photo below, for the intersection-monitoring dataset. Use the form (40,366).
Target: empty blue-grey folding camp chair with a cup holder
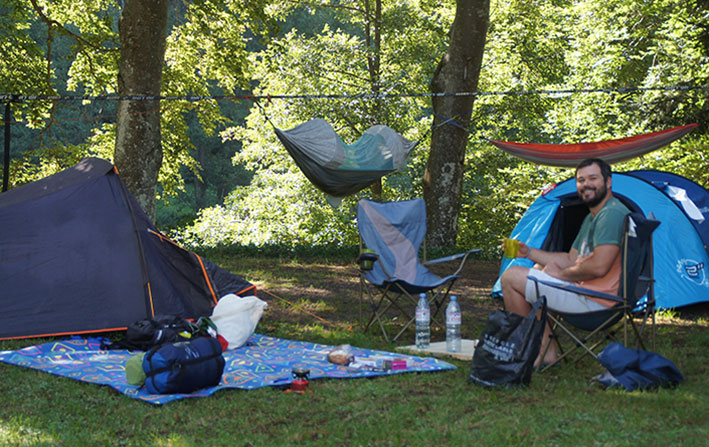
(391,275)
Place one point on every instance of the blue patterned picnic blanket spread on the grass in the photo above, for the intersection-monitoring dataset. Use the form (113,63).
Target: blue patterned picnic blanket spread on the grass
(263,361)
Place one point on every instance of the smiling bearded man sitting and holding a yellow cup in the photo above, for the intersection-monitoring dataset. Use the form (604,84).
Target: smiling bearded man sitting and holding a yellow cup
(592,262)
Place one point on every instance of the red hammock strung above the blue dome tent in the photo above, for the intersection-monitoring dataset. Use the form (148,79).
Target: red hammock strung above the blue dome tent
(612,151)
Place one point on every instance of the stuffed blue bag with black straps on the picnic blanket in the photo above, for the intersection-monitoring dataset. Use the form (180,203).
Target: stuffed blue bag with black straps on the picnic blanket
(183,367)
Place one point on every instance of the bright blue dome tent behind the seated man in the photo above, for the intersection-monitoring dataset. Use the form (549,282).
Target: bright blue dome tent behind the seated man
(681,242)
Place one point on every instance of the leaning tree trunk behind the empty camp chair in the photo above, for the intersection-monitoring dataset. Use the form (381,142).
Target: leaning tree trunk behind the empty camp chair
(458,71)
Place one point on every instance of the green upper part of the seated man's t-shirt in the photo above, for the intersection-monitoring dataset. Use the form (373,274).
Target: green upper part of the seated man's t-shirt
(605,228)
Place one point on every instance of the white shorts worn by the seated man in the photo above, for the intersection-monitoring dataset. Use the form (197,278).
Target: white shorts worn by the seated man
(557,299)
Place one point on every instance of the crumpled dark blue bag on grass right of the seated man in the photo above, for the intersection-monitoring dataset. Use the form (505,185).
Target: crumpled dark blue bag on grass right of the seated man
(636,369)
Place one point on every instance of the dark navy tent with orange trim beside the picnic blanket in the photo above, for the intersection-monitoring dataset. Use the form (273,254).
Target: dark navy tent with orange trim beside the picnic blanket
(79,255)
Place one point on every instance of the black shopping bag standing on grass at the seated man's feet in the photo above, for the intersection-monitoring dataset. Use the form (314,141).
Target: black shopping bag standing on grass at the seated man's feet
(507,349)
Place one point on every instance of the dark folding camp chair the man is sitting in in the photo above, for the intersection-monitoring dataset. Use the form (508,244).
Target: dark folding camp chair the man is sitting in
(635,297)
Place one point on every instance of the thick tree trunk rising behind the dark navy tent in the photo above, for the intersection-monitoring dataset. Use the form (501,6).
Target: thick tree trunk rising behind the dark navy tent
(138,152)
